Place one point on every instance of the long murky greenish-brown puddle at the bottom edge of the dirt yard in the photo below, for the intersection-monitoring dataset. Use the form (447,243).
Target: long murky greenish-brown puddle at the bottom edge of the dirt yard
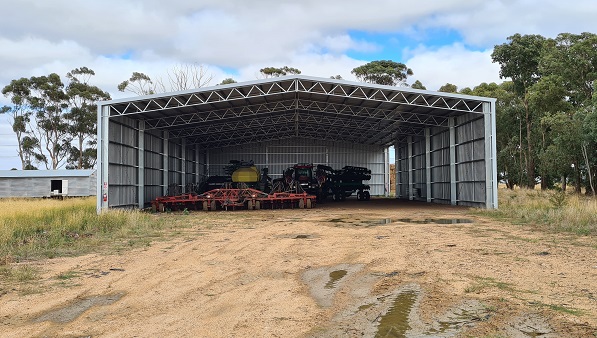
(395,322)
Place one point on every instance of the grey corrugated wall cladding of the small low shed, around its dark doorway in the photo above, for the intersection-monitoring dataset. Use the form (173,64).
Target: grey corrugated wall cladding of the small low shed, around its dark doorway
(40,186)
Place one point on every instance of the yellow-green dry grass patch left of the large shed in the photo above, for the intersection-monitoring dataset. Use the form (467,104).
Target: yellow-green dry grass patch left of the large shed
(34,228)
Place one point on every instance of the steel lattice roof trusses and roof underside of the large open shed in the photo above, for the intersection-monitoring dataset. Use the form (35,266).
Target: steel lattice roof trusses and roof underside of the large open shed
(295,106)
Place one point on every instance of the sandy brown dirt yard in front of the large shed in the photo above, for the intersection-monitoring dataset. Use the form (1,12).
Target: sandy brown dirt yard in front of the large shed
(352,269)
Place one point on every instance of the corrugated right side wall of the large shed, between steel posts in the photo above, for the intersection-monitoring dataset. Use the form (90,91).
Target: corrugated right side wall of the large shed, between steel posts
(469,137)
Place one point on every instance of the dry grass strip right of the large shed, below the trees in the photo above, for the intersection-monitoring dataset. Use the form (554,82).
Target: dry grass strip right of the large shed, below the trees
(550,210)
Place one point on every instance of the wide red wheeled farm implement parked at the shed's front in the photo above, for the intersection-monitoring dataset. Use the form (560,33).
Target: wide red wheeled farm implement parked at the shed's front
(233,199)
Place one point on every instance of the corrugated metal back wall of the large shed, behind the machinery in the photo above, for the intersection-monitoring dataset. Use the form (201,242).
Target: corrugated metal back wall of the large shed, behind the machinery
(279,155)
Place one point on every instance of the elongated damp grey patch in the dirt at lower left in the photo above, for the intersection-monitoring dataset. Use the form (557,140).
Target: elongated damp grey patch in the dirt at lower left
(75,309)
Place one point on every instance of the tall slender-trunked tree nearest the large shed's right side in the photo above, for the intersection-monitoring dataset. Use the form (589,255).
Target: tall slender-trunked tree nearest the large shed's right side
(519,60)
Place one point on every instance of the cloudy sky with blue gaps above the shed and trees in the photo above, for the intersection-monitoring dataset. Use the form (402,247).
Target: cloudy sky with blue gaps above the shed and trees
(442,41)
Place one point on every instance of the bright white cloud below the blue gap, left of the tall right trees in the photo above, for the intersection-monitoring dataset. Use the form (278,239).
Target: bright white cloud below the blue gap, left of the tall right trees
(452,64)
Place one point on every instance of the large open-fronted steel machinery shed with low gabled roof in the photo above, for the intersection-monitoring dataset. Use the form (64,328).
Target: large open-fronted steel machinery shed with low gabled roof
(445,147)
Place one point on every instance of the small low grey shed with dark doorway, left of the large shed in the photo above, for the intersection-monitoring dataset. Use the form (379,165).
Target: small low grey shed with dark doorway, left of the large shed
(47,183)
